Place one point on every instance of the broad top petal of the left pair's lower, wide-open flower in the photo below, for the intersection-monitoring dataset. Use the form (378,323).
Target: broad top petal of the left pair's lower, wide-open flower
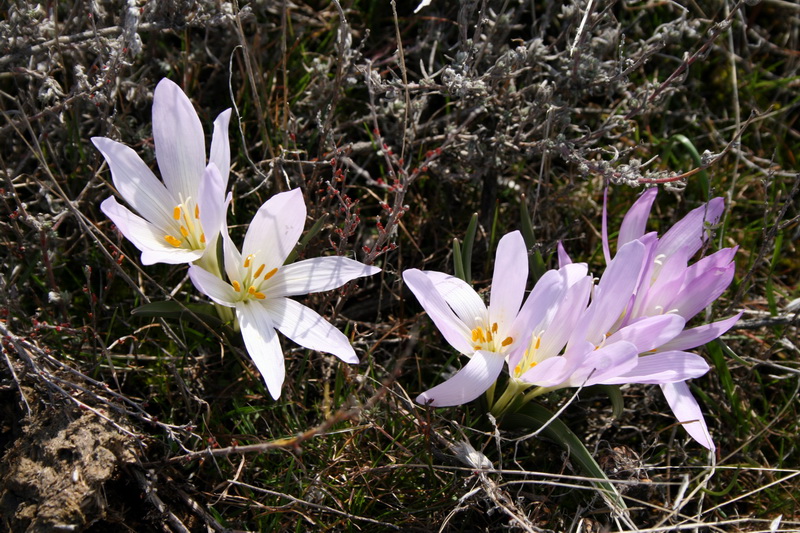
(276,228)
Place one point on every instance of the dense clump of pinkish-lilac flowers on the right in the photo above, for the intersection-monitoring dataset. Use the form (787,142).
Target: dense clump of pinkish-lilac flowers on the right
(630,327)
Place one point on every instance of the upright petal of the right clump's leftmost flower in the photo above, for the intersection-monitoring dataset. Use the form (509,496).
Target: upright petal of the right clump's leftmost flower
(510,277)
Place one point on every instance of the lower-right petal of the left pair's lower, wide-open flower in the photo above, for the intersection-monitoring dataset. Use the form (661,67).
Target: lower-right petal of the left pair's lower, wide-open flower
(309,329)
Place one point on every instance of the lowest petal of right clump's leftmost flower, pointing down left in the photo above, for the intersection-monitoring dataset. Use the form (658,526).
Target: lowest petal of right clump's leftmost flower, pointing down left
(468,383)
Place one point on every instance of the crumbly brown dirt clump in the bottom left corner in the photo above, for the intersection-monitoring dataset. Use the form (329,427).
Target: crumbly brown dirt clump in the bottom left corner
(52,476)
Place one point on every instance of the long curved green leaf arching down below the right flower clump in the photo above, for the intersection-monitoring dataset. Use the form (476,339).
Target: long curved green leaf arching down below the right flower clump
(535,417)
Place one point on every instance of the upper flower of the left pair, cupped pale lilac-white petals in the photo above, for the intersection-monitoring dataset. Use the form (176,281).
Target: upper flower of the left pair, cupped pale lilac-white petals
(180,218)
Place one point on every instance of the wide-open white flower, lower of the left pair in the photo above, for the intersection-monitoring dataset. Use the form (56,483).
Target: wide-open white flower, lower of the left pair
(259,286)
